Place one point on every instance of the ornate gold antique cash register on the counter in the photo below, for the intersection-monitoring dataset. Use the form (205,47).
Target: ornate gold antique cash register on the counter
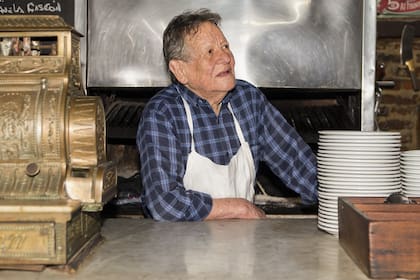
(54,173)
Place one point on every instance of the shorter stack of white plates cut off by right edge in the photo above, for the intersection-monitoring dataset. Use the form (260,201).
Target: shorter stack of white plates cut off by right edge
(410,173)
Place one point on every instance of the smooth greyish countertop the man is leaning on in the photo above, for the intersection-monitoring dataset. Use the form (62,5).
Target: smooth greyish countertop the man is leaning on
(231,249)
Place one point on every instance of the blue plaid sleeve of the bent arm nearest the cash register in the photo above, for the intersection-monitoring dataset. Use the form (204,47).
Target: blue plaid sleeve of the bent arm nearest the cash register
(164,195)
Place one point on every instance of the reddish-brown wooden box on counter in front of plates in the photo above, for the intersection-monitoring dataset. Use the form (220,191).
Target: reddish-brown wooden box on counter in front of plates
(382,239)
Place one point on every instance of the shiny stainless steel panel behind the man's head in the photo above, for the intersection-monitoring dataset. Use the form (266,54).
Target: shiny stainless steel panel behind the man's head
(276,43)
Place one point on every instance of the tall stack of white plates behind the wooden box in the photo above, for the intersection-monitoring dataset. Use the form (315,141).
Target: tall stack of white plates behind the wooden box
(355,163)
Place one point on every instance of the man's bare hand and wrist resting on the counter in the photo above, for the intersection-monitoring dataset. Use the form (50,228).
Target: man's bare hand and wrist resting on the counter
(234,208)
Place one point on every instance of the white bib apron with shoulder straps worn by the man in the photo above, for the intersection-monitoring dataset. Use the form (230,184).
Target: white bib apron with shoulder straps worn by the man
(235,180)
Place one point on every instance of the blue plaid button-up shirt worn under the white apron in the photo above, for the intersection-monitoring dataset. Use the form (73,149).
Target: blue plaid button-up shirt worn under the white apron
(164,140)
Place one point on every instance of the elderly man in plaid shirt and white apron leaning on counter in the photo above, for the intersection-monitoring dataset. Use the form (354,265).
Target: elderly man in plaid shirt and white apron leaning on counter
(201,138)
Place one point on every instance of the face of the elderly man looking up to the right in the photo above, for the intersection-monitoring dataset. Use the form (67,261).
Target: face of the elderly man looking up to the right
(209,68)
